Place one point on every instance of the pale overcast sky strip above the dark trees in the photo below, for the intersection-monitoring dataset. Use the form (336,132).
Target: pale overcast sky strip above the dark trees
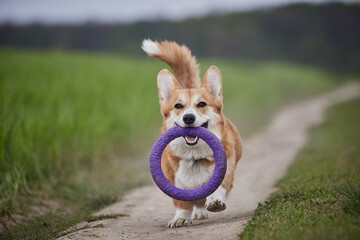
(80,11)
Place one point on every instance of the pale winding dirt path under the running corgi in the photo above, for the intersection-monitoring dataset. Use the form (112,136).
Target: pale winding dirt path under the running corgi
(267,156)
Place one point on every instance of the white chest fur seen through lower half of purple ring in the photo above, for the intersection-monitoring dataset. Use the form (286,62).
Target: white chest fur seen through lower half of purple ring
(193,174)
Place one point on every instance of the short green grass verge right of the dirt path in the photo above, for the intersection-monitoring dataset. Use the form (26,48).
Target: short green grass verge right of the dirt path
(319,198)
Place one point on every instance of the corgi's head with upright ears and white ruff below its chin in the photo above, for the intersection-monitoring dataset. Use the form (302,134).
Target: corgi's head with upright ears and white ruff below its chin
(193,107)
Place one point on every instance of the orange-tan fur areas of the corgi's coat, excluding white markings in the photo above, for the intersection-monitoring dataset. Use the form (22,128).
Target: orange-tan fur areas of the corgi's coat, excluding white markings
(187,84)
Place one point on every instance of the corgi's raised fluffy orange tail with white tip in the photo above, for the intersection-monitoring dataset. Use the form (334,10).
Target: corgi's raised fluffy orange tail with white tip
(179,58)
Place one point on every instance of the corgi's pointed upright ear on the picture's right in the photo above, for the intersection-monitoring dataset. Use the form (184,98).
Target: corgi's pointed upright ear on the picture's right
(212,81)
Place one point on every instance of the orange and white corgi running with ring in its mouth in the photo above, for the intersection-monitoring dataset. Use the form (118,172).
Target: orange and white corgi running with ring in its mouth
(188,162)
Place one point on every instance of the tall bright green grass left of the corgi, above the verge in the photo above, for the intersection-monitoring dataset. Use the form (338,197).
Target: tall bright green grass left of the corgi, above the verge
(64,112)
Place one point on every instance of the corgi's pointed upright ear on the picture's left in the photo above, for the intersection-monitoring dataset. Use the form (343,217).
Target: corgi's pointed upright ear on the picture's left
(166,84)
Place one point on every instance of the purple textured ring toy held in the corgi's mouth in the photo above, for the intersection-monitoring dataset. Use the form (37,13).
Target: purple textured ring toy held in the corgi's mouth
(188,194)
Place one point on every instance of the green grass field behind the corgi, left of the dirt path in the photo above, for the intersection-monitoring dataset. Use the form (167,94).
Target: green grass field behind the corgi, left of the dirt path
(76,128)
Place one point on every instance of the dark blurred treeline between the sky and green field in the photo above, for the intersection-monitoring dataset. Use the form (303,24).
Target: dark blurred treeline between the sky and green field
(326,35)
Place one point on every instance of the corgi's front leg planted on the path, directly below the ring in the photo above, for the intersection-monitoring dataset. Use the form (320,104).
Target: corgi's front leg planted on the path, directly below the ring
(182,214)
